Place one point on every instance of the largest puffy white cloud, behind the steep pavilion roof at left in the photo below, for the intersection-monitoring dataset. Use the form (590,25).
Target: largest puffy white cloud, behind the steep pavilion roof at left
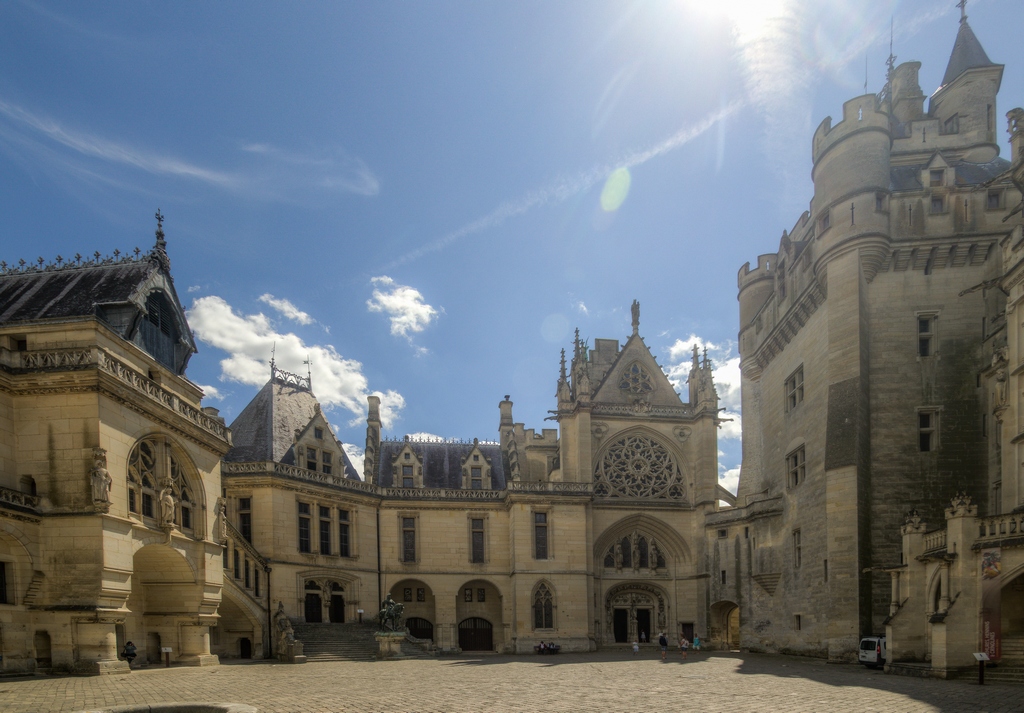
(250,341)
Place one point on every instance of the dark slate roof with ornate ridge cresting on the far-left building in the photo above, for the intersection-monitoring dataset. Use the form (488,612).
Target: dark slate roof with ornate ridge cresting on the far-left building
(70,291)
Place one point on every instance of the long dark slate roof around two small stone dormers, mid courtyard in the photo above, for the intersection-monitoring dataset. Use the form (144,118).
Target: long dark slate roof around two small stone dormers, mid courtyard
(443,463)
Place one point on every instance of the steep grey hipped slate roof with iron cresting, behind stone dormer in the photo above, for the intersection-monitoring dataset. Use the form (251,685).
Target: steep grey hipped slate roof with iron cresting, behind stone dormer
(266,429)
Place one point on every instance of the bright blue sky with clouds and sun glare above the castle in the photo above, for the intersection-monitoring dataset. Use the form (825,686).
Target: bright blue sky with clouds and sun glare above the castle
(426,199)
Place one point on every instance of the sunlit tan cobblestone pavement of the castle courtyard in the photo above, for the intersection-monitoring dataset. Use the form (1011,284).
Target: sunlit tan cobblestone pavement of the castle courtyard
(707,683)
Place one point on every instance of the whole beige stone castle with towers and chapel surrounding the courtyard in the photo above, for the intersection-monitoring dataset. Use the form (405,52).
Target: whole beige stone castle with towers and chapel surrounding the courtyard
(880,380)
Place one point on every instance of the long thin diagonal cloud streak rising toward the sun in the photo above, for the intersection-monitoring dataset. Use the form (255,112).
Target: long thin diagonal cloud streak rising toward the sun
(566,188)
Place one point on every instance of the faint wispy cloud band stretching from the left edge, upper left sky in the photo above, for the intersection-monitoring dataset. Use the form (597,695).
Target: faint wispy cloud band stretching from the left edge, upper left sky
(263,172)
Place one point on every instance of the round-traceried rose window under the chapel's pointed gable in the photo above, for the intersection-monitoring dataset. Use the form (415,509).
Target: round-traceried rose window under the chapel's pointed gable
(638,468)
